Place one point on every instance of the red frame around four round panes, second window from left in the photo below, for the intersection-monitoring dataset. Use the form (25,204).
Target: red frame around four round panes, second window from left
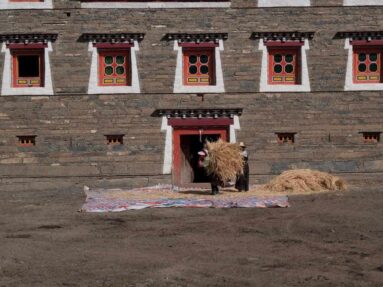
(114,79)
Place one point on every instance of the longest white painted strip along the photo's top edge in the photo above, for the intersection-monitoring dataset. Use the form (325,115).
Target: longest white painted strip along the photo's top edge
(155,5)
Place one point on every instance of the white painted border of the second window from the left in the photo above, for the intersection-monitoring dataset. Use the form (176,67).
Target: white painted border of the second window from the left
(94,88)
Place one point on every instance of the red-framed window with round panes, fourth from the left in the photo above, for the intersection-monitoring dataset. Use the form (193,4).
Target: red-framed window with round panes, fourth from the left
(284,66)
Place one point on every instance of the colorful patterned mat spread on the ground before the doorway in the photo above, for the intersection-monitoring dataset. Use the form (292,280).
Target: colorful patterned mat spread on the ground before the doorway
(115,200)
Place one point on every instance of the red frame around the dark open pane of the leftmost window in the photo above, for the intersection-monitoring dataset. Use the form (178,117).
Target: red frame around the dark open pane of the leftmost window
(22,82)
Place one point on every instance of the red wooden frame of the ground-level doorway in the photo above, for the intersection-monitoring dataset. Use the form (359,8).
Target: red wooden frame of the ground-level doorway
(182,131)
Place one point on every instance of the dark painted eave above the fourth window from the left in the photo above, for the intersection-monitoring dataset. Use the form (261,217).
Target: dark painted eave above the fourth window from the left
(282,36)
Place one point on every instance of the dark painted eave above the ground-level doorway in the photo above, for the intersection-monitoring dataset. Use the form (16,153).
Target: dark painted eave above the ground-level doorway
(198,113)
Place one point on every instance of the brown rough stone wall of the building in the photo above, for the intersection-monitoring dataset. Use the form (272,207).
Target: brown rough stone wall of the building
(70,126)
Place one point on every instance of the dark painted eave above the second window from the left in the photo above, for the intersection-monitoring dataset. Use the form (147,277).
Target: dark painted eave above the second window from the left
(112,37)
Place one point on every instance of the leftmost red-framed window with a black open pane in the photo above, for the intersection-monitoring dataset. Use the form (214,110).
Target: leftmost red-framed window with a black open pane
(28,67)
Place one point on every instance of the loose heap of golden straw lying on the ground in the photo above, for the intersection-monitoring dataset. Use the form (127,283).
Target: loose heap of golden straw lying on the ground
(305,180)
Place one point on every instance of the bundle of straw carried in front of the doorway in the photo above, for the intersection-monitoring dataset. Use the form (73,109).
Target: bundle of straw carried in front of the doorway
(225,160)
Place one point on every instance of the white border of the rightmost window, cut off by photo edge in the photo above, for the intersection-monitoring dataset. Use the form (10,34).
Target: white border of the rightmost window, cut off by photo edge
(349,83)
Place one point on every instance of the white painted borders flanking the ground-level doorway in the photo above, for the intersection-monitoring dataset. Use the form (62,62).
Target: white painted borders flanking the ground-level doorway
(168,149)
